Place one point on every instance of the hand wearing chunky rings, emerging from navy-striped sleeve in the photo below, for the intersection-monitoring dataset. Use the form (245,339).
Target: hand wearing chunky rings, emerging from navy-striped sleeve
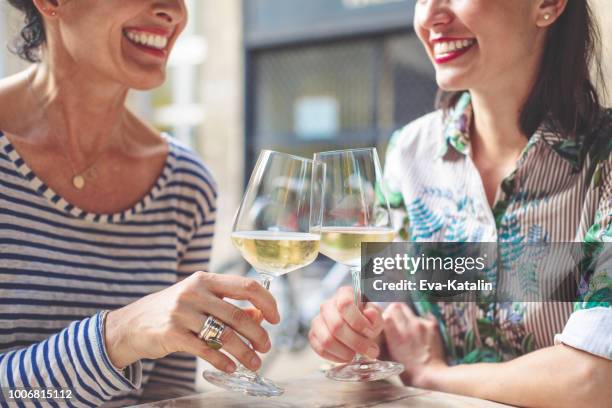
(169,321)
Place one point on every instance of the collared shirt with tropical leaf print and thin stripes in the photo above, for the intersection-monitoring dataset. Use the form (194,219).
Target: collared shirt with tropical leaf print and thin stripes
(560,191)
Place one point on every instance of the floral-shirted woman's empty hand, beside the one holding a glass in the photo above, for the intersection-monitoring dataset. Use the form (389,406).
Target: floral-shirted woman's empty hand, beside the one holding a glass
(414,342)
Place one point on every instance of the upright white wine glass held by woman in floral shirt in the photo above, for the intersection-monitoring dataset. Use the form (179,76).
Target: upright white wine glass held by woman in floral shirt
(354,209)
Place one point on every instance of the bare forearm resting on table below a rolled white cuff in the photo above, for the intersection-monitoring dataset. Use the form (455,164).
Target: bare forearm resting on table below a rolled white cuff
(555,376)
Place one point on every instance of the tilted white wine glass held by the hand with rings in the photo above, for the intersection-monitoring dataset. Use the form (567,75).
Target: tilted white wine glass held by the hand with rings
(271,231)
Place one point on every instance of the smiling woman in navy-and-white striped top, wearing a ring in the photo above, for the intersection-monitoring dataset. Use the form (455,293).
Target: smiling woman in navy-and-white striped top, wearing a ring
(105,224)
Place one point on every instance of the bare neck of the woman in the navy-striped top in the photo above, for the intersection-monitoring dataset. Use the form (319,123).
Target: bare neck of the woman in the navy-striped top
(79,113)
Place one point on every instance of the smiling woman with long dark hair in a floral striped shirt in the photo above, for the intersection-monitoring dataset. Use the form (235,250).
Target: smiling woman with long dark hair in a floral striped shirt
(519,153)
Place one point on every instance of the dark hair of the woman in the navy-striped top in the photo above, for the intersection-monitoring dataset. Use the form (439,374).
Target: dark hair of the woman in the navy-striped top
(32,34)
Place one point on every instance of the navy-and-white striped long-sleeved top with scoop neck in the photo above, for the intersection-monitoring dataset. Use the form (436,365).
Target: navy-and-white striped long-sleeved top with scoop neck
(61,268)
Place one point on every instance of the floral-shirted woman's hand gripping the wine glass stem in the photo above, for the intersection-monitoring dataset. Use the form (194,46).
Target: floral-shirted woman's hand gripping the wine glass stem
(340,330)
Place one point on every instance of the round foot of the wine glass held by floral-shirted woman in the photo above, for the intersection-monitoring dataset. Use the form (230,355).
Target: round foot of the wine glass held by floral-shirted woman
(365,370)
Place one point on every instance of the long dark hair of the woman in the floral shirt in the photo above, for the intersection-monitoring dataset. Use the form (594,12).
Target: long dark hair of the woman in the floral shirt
(563,96)
